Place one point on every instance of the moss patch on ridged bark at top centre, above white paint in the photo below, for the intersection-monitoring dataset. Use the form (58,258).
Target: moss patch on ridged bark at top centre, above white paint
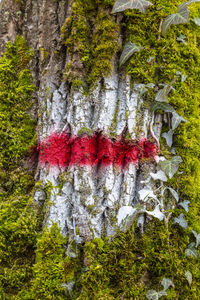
(90,35)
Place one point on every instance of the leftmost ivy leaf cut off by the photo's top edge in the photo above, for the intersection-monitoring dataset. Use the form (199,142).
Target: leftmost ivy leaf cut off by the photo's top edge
(121,5)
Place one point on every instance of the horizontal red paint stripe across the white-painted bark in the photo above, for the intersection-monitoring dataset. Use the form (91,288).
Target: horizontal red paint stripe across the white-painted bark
(63,150)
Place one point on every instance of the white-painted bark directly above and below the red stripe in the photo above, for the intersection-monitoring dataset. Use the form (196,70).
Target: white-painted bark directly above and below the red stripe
(91,200)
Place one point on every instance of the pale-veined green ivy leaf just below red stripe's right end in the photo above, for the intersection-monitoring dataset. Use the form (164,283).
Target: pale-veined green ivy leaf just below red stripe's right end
(170,167)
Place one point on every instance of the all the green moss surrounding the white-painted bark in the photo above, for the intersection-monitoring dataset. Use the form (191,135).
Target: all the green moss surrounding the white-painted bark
(35,266)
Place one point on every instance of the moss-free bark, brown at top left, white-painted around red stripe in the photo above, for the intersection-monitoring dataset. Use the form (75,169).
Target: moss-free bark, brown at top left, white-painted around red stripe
(89,199)
